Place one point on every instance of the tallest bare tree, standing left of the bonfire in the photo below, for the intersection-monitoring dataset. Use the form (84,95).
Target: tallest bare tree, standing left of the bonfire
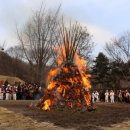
(37,38)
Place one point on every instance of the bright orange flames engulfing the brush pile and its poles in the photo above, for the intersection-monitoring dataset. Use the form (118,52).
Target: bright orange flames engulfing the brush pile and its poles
(59,90)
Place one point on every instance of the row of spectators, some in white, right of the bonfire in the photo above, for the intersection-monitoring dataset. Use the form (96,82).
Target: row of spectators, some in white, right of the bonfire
(111,96)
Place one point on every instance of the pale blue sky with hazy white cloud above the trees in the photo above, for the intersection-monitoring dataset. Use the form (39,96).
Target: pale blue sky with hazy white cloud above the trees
(104,19)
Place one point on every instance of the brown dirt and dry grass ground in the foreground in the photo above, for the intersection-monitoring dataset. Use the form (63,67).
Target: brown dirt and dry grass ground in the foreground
(16,115)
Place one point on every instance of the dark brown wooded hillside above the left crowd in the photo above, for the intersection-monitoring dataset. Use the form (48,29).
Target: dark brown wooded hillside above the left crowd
(13,67)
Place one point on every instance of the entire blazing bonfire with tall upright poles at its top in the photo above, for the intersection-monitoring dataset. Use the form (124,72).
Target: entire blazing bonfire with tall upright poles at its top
(69,84)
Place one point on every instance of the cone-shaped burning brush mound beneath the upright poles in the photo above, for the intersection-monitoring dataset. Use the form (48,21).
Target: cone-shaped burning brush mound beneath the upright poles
(67,90)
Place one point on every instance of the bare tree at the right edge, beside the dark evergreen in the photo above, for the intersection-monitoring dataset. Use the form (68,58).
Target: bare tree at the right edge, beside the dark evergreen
(119,48)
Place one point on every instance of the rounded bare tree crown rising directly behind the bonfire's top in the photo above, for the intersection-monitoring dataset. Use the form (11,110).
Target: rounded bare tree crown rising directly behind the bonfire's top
(71,39)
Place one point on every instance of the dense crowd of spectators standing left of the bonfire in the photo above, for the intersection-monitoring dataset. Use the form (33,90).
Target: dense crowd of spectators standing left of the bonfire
(18,91)
